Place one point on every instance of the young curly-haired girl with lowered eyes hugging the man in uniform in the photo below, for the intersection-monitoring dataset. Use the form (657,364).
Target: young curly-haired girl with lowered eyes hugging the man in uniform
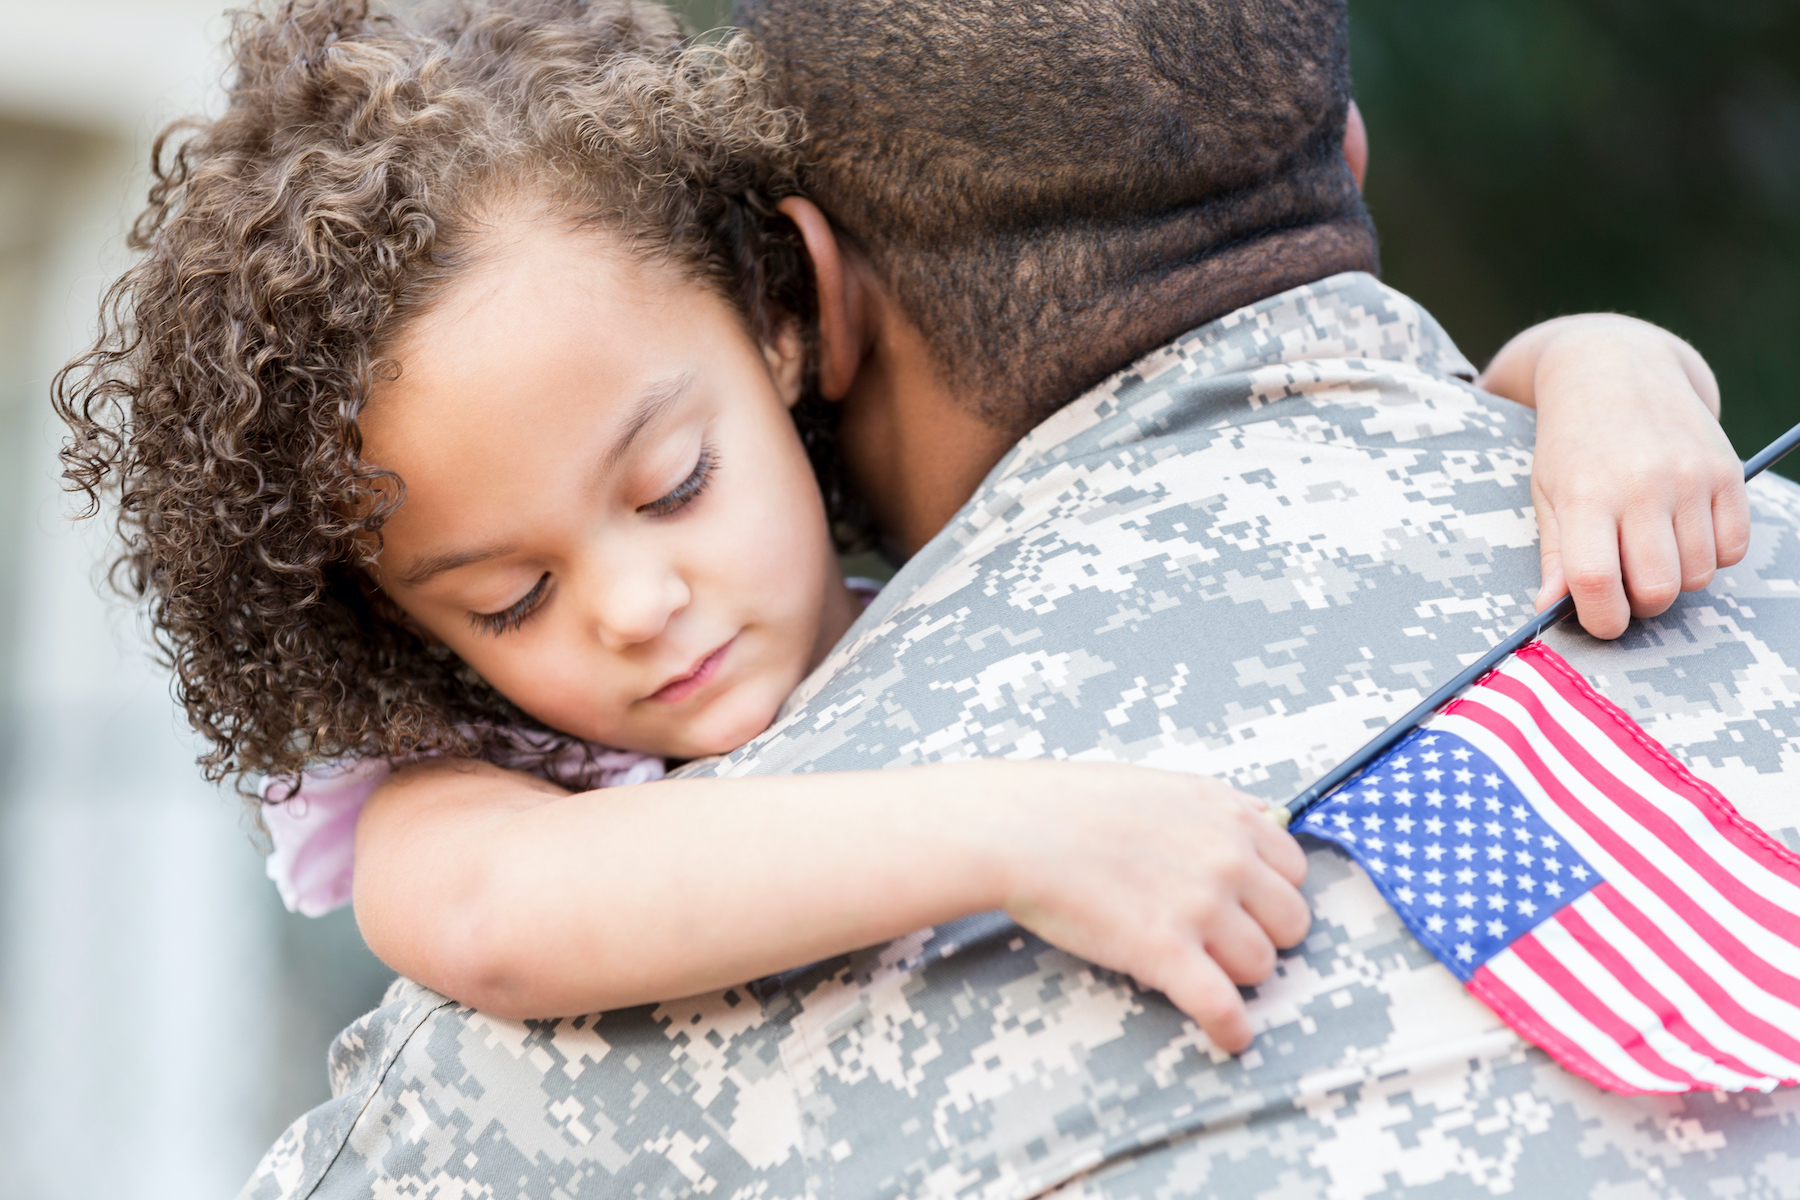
(460,407)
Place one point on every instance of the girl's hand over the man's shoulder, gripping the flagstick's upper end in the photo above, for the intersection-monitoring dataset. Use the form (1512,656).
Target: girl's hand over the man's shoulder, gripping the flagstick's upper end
(1637,490)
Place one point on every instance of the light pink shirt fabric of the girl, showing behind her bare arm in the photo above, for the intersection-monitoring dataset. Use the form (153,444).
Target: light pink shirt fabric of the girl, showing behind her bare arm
(314,827)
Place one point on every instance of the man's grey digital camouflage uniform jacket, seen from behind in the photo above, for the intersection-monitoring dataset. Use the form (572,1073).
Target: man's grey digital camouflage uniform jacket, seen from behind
(1239,557)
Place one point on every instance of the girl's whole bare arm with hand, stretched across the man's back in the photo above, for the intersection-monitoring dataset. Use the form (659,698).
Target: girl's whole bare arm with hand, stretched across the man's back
(521,900)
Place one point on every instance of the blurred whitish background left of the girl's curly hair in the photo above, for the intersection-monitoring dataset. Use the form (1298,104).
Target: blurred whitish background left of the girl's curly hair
(161,1017)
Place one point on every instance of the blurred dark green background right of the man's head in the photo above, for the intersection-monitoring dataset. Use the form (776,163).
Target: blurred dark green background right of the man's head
(1542,157)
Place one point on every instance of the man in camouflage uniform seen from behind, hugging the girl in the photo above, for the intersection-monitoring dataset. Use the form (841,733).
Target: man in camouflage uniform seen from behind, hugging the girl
(1182,485)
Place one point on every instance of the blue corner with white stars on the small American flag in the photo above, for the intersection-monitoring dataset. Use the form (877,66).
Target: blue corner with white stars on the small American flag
(1459,852)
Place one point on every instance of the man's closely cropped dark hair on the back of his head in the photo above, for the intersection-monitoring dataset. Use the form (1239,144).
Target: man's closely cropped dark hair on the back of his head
(1038,179)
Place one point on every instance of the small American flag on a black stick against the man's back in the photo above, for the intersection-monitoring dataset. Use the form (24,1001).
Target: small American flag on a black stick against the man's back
(1585,886)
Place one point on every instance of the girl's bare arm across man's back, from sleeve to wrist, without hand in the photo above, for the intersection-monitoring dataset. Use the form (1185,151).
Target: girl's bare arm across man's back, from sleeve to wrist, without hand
(471,882)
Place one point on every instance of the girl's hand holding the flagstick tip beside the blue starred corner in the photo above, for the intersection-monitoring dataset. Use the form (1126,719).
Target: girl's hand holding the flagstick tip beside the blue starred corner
(1178,881)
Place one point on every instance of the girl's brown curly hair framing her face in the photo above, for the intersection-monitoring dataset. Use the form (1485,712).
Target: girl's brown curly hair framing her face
(285,246)
